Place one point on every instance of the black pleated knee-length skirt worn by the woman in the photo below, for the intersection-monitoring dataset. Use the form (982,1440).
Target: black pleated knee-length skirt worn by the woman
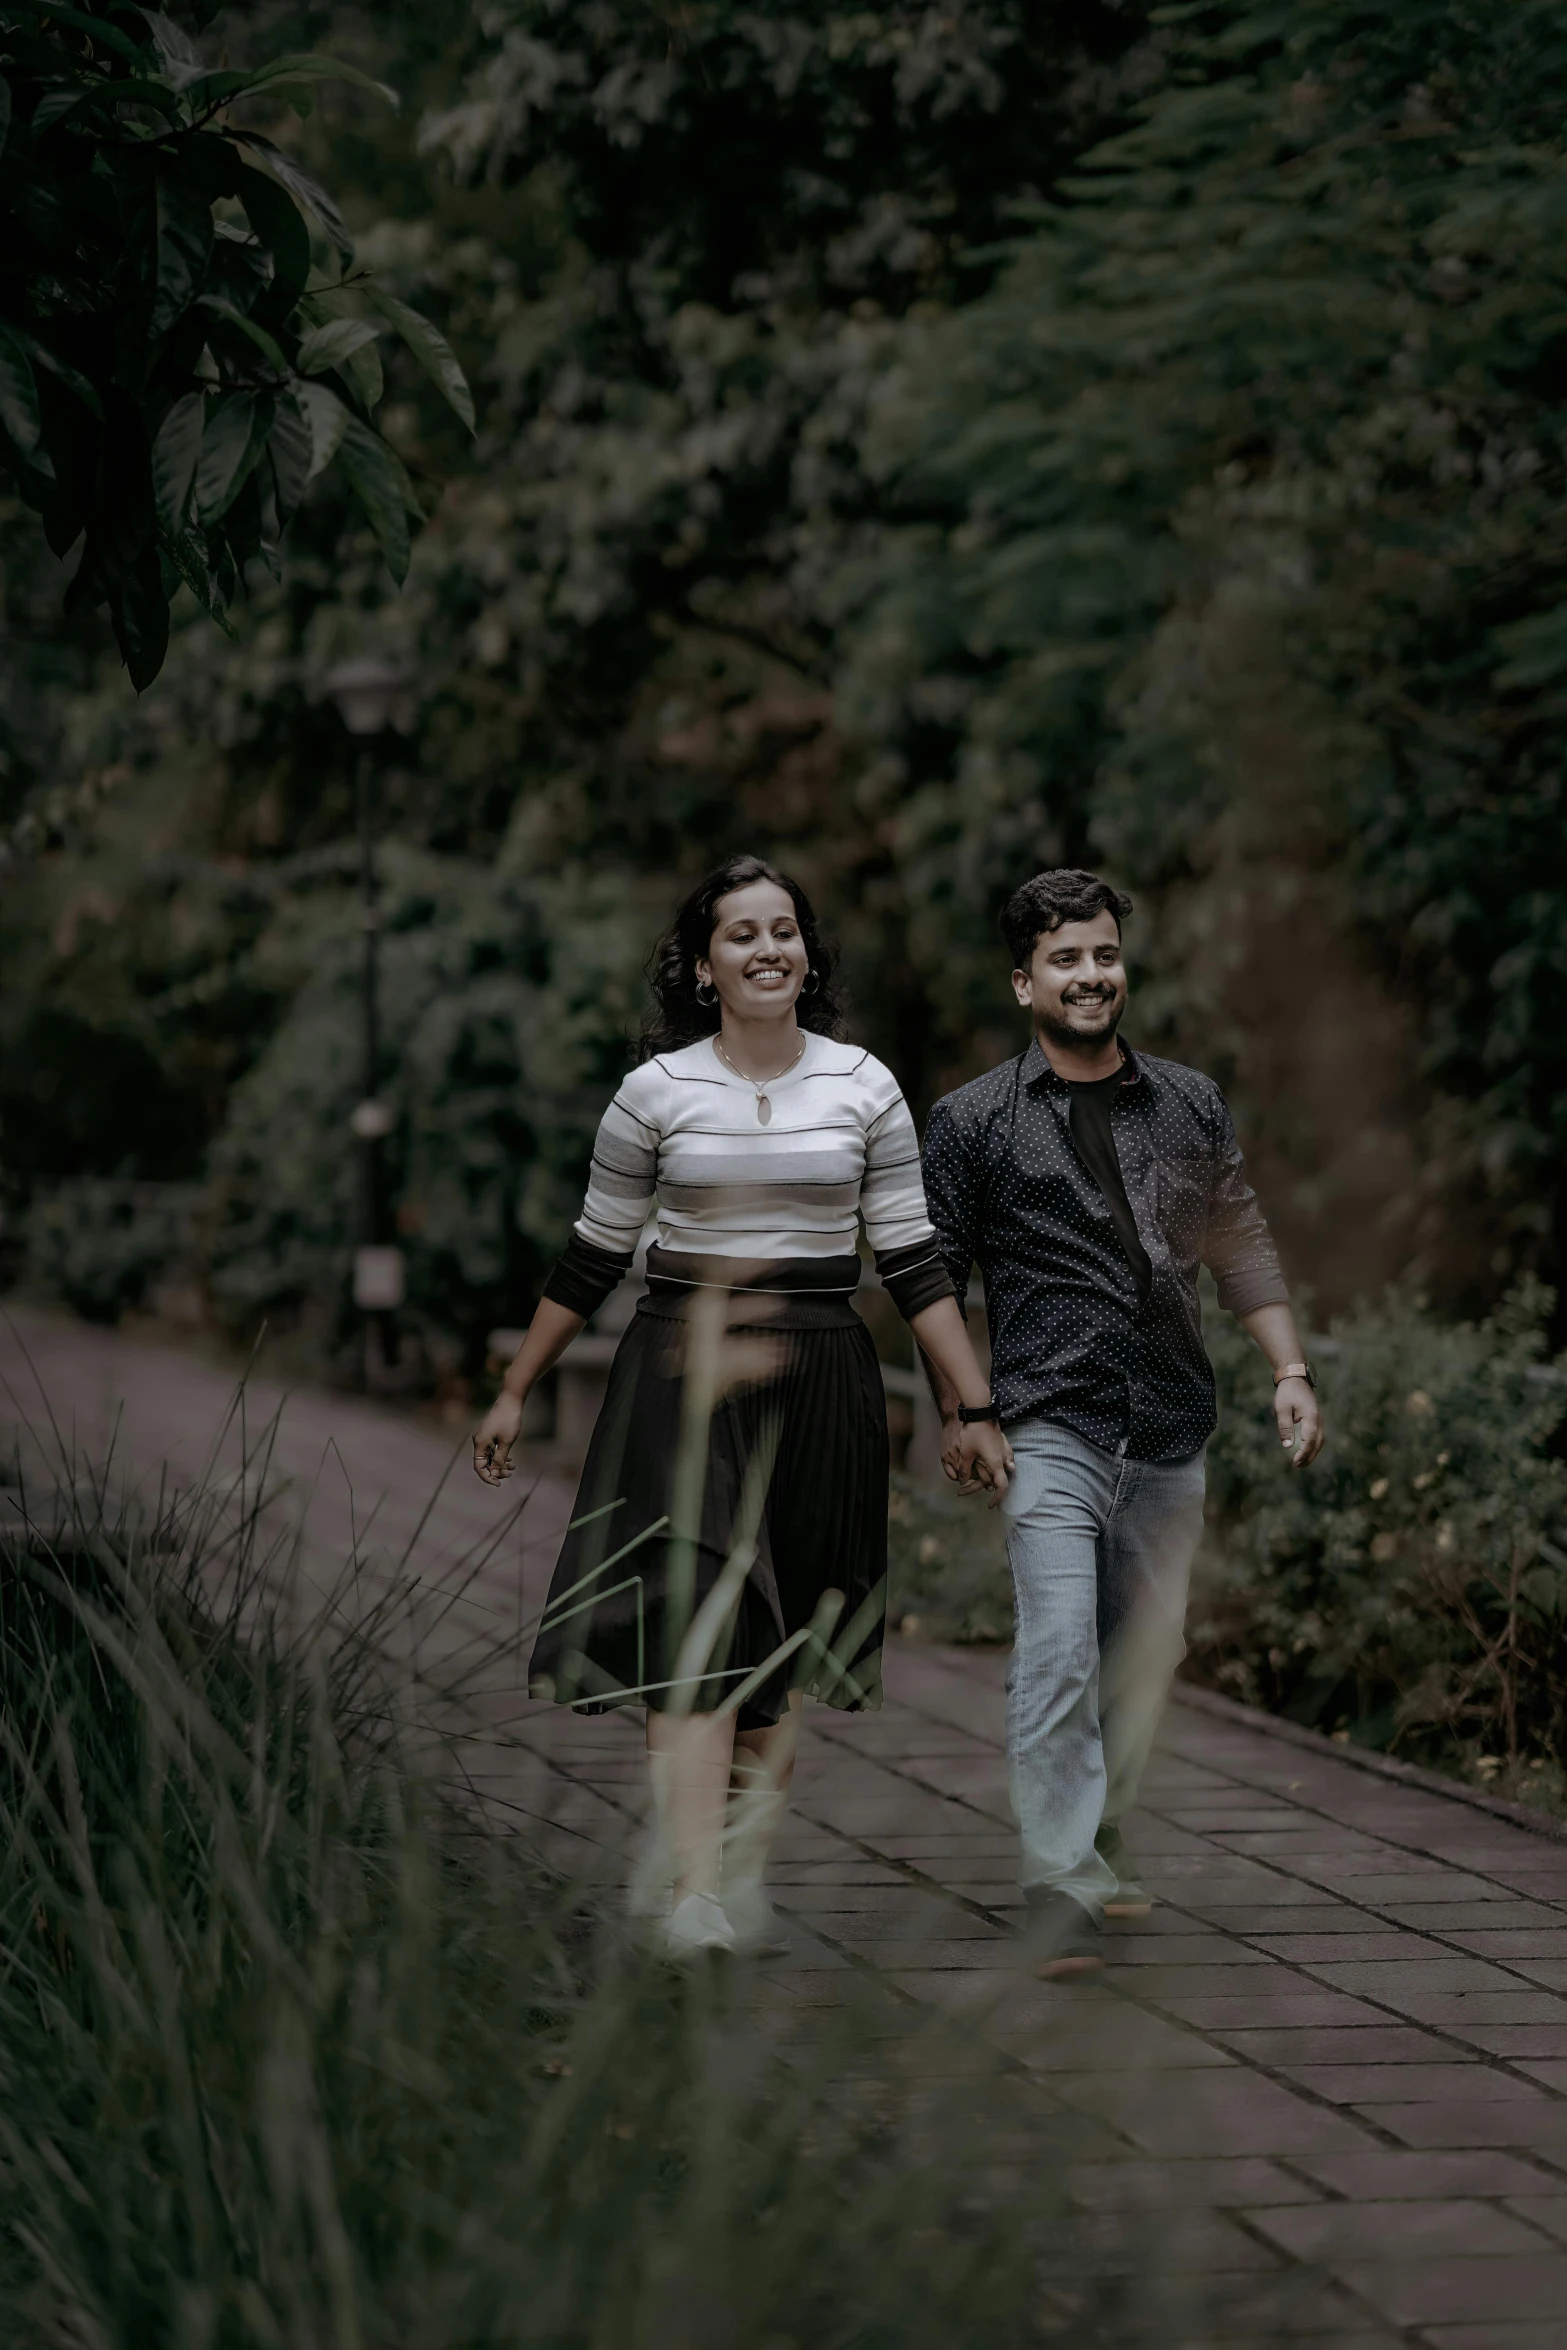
(729,1533)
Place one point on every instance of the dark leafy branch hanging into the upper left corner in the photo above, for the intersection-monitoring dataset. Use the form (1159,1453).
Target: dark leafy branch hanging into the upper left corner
(180,337)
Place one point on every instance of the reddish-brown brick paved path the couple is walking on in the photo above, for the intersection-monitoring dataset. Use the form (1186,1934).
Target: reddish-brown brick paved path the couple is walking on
(1333,2060)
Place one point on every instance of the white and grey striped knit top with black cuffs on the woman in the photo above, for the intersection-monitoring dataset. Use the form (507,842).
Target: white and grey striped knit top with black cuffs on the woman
(682,1139)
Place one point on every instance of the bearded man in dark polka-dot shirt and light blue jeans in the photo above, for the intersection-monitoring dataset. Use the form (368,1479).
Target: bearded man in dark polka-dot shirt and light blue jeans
(1091,1183)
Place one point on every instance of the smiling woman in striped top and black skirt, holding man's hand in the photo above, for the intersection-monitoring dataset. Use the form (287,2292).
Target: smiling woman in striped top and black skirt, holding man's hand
(729,1540)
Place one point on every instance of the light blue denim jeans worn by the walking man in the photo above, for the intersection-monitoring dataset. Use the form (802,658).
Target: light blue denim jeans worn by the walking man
(1101,1552)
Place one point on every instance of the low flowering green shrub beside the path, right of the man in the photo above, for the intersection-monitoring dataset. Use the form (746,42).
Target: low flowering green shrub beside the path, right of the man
(1413,1583)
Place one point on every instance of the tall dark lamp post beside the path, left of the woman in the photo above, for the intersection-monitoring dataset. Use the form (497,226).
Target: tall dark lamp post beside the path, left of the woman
(365,692)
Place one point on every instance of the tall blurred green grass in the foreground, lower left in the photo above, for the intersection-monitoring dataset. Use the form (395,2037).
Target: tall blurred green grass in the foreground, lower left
(304,2046)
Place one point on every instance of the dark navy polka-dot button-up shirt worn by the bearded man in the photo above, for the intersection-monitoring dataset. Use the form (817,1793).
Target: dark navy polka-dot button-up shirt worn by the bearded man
(1070,1336)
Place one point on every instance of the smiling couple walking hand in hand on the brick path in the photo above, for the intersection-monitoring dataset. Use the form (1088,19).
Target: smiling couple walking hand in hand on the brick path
(727,1555)
